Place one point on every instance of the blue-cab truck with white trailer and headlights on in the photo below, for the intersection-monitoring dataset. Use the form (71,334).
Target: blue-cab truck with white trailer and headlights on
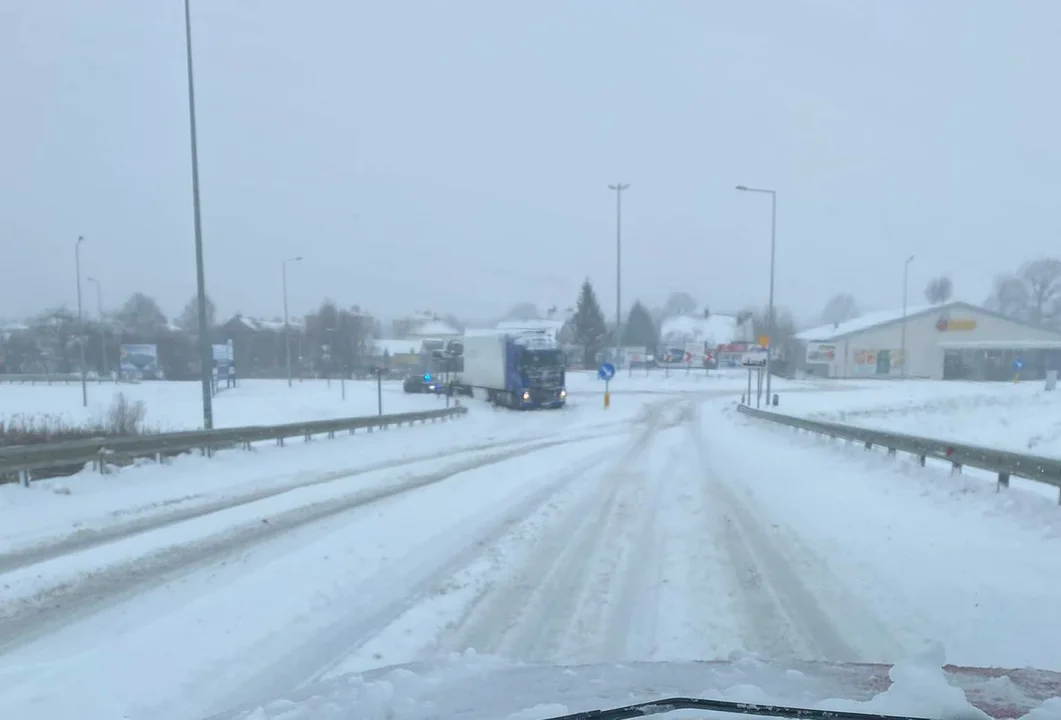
(518,370)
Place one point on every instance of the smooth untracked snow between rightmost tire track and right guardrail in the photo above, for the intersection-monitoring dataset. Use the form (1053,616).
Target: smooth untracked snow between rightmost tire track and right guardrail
(929,555)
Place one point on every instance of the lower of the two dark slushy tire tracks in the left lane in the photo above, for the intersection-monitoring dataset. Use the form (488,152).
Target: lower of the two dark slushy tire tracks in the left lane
(61,606)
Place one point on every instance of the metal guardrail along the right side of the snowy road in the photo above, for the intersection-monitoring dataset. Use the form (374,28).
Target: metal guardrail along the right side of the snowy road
(1004,463)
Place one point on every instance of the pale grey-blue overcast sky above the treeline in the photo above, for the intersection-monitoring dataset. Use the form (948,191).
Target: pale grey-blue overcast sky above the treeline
(457,154)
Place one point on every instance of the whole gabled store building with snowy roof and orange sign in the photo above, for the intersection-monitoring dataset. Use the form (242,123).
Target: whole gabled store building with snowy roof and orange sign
(954,341)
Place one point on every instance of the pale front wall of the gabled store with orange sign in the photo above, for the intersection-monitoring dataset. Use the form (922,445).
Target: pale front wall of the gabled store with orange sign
(859,354)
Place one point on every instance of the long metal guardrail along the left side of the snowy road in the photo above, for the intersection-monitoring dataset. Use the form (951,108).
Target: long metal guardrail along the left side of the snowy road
(32,462)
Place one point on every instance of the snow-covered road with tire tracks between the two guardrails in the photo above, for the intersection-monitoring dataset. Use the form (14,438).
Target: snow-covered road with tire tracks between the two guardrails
(687,534)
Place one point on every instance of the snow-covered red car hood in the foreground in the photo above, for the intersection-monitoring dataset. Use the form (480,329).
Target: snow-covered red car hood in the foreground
(476,688)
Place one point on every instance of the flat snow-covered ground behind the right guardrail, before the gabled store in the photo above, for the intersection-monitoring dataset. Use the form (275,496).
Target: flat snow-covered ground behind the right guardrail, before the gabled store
(1022,417)
